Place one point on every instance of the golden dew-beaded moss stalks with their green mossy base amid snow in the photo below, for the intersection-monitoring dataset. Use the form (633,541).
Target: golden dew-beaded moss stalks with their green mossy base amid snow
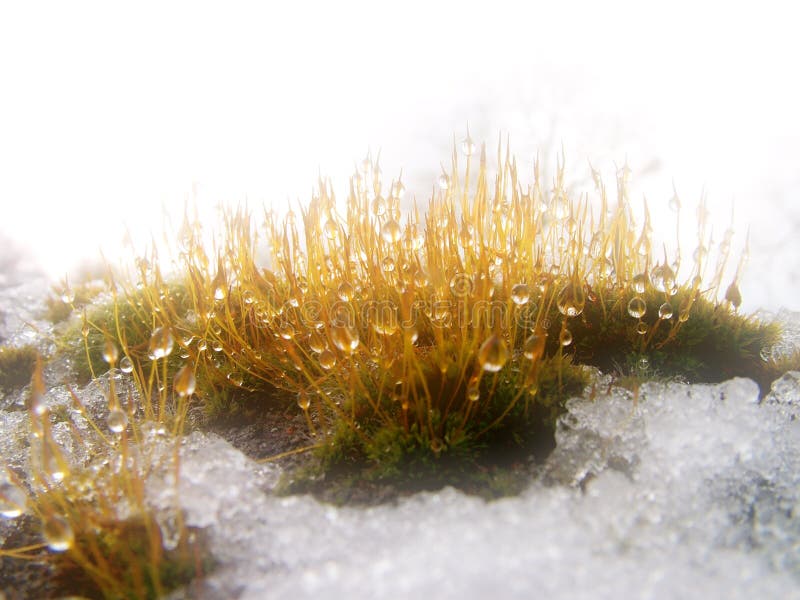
(408,340)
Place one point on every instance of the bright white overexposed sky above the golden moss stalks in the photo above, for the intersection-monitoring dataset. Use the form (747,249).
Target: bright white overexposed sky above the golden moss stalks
(109,110)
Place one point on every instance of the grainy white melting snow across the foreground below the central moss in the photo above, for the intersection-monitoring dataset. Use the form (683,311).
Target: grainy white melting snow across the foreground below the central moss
(688,491)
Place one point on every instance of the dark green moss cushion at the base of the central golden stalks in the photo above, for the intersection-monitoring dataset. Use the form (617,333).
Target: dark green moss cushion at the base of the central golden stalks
(379,460)
